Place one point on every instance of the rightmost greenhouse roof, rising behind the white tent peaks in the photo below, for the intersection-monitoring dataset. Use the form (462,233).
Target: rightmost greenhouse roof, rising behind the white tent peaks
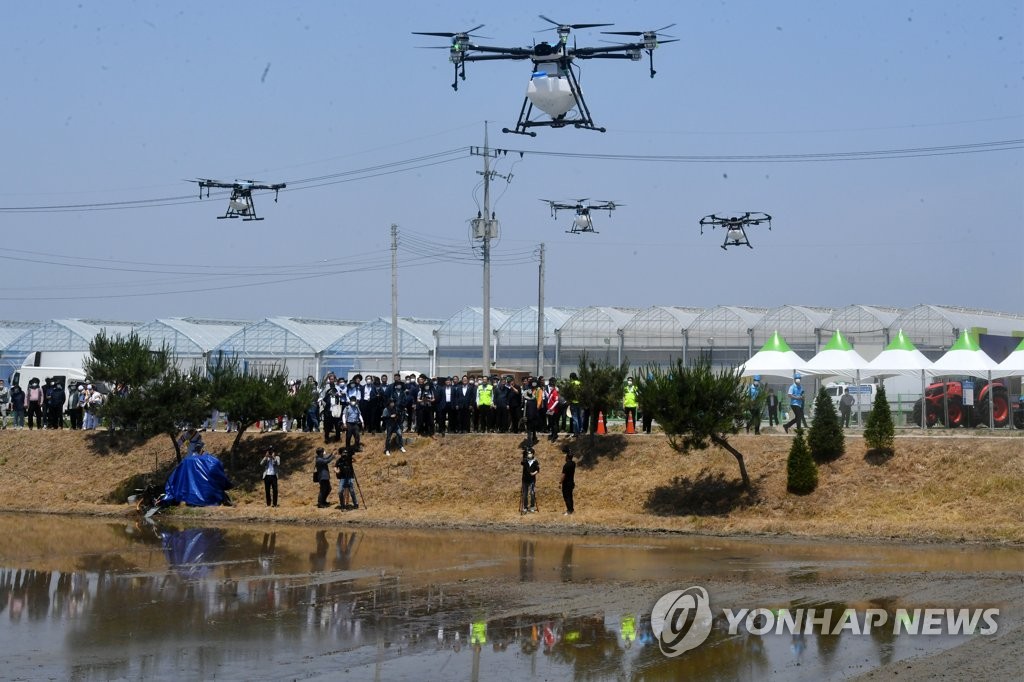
(933,329)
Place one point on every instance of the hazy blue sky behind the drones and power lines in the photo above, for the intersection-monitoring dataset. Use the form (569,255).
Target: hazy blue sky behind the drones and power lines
(117,102)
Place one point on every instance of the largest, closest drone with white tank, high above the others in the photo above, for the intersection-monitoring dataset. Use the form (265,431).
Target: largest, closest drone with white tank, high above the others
(554,84)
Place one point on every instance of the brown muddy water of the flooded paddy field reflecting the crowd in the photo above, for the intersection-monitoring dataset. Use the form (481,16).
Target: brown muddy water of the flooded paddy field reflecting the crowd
(86,600)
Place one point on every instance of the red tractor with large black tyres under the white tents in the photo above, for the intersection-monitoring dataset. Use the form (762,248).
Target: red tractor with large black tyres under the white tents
(988,397)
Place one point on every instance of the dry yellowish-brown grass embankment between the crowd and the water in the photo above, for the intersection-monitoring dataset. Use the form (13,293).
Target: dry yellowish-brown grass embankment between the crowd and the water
(937,488)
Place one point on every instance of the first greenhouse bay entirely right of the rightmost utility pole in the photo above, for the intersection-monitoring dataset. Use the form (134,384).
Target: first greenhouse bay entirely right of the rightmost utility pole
(594,331)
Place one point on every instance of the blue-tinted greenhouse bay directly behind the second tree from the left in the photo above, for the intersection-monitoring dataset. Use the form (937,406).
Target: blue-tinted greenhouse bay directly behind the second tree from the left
(292,345)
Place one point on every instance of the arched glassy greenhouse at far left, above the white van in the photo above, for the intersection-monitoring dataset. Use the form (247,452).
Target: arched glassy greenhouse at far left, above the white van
(60,343)
